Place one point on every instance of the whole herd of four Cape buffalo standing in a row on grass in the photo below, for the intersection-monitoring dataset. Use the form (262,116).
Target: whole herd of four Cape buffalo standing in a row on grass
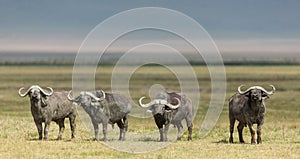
(167,108)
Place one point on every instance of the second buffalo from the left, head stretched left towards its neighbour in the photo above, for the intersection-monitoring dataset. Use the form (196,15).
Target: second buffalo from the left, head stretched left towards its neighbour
(105,108)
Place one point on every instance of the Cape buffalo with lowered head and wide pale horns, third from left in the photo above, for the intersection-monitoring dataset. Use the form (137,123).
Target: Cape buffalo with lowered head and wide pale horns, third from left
(171,108)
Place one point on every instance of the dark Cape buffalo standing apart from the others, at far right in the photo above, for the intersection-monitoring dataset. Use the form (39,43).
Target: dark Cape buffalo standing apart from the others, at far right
(248,108)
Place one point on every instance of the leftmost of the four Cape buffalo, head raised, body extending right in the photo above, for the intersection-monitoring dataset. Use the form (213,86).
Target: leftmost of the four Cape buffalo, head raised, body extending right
(50,106)
